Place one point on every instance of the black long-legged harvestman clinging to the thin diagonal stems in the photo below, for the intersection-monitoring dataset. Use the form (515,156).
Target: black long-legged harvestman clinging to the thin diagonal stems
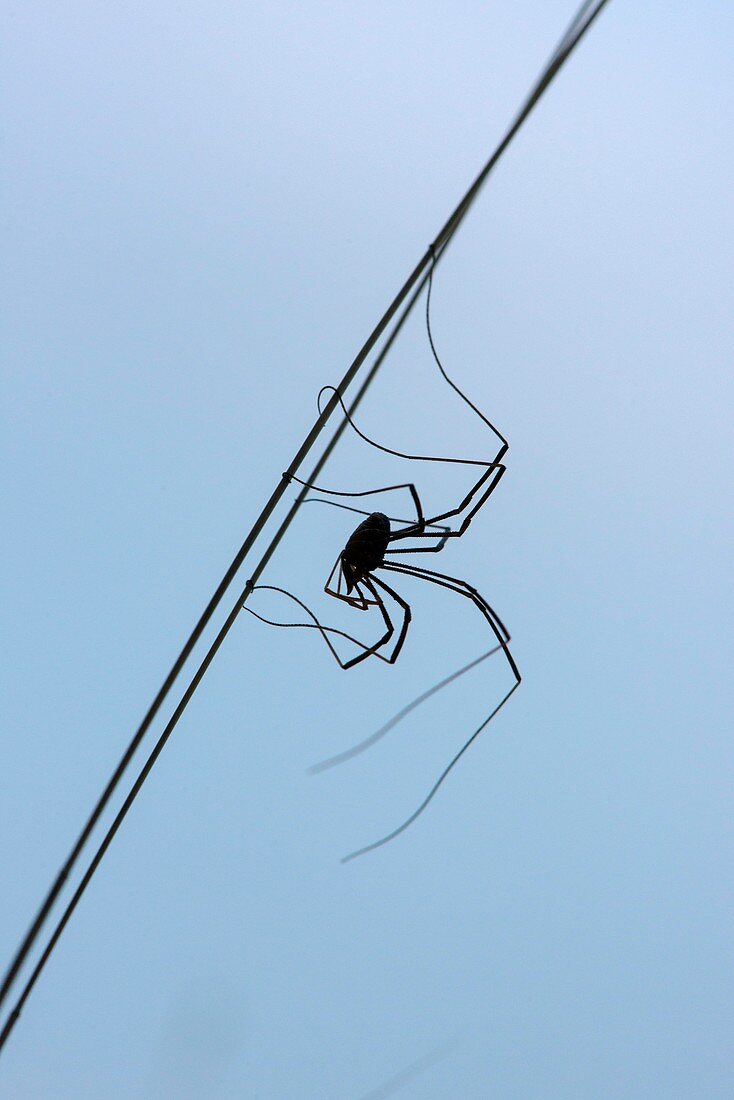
(354,578)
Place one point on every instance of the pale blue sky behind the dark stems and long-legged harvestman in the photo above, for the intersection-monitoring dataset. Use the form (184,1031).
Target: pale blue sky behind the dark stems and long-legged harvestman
(206,208)
